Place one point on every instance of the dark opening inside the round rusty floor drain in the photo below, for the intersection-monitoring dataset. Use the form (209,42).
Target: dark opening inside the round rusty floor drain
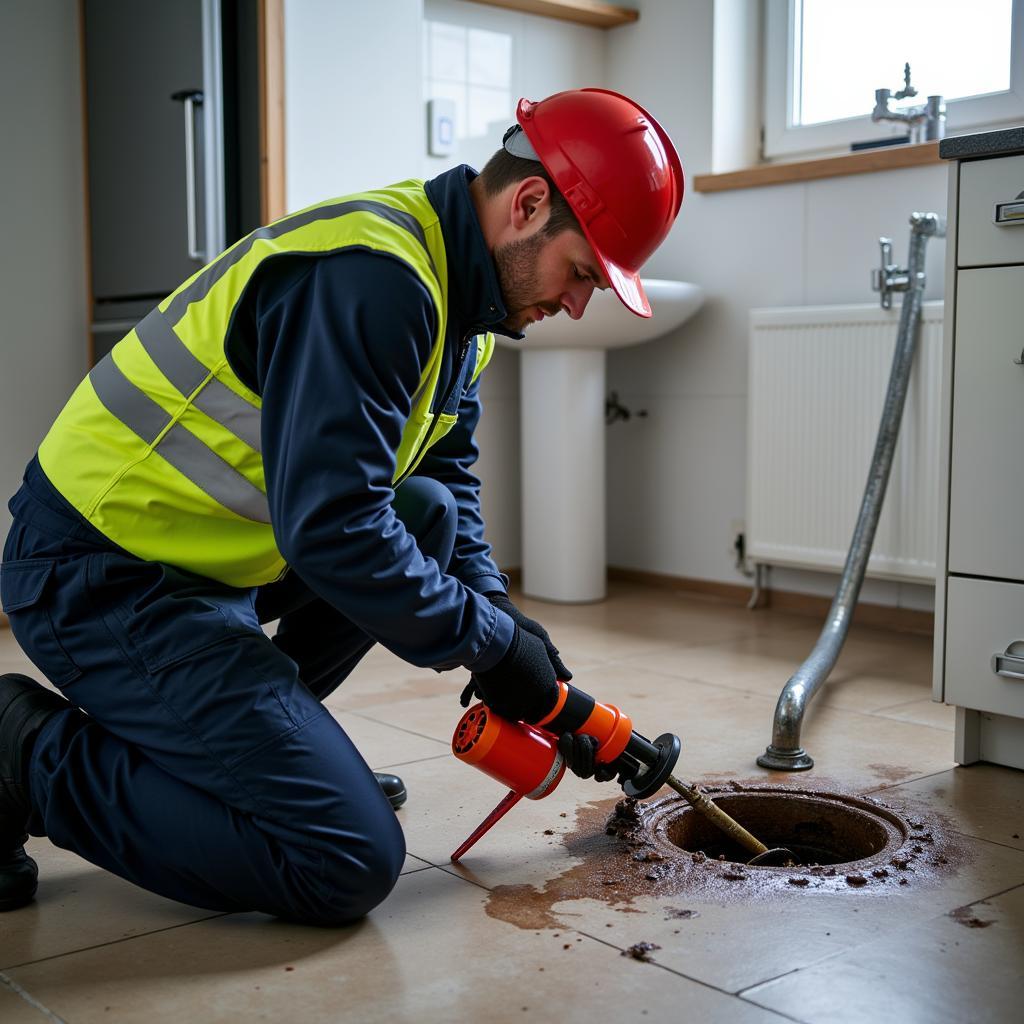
(819,832)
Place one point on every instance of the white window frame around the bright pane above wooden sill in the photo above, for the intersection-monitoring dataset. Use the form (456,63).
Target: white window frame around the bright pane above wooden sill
(784,141)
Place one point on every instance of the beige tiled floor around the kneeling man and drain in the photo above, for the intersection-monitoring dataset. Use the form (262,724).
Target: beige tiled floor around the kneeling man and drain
(96,949)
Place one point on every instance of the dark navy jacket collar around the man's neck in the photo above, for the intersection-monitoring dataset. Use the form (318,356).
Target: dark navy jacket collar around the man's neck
(476,304)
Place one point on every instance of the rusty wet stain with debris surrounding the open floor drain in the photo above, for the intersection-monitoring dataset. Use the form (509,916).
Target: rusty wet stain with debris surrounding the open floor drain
(623,856)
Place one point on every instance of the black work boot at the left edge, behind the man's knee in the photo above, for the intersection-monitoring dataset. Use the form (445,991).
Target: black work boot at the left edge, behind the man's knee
(25,709)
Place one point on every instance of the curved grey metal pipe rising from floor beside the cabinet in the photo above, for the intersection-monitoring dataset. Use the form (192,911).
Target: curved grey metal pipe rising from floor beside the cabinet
(785,752)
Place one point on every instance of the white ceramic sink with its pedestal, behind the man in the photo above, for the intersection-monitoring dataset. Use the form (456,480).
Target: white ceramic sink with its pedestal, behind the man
(564,395)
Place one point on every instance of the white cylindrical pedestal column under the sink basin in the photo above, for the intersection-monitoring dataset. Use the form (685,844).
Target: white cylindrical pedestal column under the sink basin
(563,430)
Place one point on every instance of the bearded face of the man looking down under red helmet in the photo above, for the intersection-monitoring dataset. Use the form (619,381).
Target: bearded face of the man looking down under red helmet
(541,276)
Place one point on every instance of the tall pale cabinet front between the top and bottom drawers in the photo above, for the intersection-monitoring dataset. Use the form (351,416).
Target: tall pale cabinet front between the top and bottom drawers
(987,468)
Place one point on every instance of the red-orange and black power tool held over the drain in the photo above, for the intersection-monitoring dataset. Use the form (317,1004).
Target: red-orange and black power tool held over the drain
(527,759)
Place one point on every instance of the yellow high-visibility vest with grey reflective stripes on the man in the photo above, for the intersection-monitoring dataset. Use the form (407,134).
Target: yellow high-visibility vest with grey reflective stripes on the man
(159,448)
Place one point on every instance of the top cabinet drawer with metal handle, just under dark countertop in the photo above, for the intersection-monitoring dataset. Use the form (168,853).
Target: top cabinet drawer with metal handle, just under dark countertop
(984,184)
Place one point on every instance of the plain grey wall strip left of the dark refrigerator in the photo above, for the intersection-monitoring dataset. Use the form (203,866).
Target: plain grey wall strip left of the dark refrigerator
(45,322)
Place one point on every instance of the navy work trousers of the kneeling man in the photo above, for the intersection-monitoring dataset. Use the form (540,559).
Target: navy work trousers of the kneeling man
(205,767)
